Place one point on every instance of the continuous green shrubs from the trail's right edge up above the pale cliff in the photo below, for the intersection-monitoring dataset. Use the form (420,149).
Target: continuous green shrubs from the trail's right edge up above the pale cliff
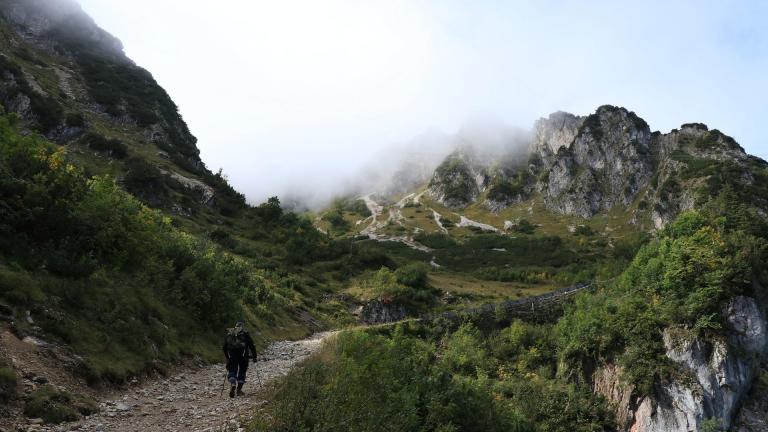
(529,377)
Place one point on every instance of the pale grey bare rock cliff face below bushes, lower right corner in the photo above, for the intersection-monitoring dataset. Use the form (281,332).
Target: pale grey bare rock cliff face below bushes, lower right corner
(720,374)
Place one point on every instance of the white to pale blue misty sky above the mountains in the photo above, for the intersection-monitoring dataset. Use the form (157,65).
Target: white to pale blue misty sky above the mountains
(301,94)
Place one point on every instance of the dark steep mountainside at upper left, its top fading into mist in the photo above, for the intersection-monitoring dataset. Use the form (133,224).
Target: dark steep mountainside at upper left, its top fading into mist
(71,81)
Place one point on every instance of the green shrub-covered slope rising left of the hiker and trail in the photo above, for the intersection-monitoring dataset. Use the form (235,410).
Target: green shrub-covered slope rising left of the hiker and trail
(129,288)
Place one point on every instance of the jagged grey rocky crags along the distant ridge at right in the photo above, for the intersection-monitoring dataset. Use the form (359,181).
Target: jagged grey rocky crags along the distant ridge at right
(584,166)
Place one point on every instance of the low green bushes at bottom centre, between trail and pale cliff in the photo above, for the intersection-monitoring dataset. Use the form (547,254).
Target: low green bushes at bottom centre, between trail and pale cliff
(423,378)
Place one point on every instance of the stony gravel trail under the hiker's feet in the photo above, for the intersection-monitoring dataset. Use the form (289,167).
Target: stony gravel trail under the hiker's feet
(192,399)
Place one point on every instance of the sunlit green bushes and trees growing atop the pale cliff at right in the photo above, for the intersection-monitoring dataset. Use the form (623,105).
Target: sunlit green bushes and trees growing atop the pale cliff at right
(700,261)
